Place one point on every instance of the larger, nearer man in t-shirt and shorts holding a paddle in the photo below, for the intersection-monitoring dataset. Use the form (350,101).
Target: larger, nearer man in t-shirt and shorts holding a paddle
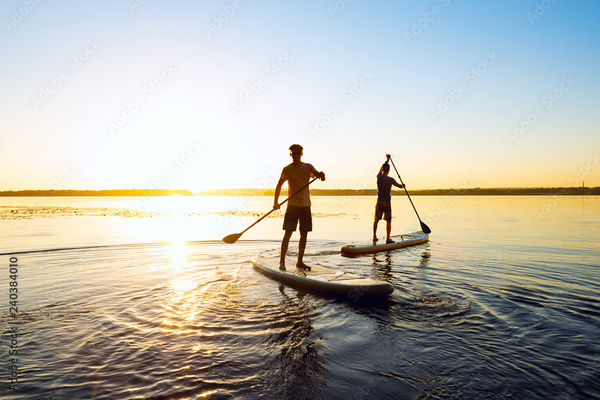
(297,174)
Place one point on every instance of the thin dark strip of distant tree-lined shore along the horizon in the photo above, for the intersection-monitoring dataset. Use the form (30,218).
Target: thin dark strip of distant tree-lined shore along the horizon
(556,191)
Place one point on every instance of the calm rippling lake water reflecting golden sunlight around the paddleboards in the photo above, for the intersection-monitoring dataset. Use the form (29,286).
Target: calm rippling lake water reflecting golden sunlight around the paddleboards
(138,298)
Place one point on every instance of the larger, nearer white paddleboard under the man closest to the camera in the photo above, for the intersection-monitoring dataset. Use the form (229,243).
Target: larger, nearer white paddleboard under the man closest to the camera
(321,279)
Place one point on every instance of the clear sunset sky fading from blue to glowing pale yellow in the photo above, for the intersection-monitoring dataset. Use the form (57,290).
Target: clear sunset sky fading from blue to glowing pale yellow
(210,94)
